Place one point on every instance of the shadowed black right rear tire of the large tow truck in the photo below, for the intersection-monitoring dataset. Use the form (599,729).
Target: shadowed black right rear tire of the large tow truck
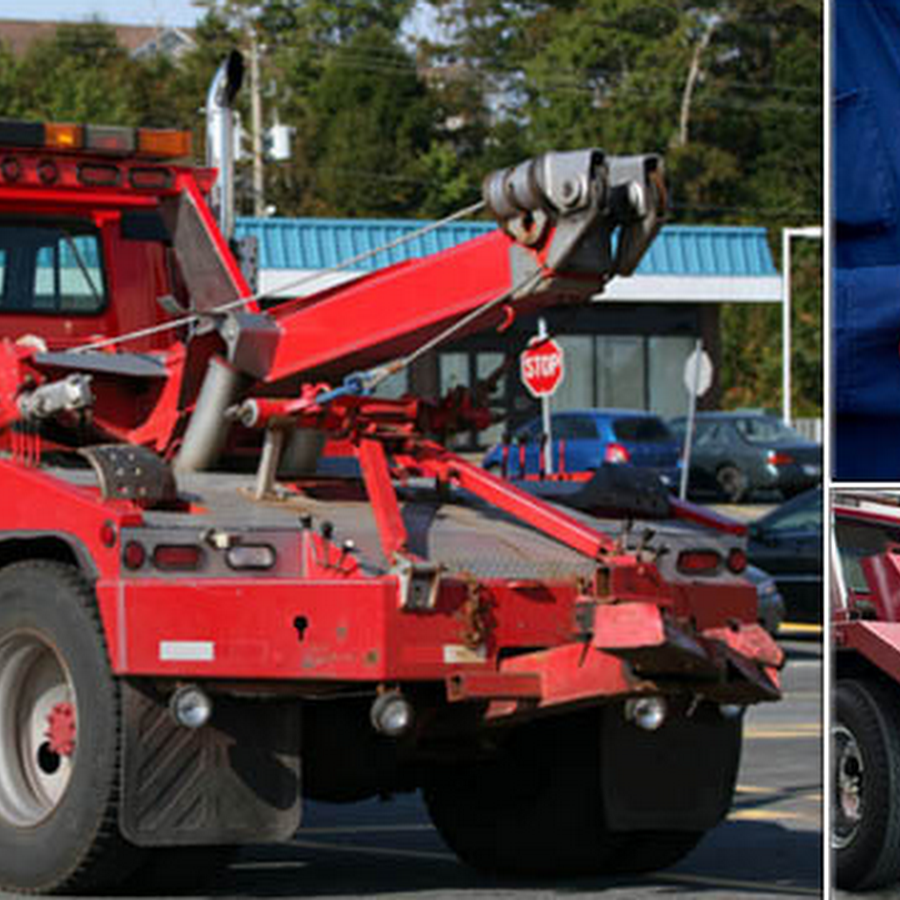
(538,810)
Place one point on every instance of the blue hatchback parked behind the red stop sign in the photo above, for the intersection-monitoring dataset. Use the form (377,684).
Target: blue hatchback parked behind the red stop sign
(586,439)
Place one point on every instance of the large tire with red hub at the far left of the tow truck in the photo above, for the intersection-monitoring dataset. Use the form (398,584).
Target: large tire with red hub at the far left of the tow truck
(59,737)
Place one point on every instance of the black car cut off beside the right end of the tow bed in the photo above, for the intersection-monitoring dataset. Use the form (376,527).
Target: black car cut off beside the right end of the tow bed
(787,543)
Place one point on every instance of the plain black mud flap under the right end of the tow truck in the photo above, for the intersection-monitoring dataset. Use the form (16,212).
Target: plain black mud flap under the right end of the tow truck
(680,777)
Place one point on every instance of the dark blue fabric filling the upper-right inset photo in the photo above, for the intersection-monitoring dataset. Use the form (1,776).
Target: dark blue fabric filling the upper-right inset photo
(866,337)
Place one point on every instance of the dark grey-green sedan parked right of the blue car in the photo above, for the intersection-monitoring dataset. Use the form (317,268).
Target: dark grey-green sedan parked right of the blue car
(735,454)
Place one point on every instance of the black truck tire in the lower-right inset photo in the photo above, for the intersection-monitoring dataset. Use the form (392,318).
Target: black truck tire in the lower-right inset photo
(866,761)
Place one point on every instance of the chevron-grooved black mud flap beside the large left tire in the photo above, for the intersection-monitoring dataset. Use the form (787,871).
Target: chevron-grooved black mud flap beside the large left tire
(236,780)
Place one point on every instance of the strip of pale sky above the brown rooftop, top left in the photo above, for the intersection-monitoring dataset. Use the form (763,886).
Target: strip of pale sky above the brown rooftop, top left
(124,12)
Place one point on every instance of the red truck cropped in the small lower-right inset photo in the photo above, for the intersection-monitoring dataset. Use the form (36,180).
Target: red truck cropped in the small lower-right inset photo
(865,731)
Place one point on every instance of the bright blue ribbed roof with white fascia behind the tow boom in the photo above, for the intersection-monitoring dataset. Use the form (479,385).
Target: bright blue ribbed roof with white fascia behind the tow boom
(686,263)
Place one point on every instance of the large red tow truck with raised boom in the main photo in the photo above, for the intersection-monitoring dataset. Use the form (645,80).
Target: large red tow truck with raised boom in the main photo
(199,631)
